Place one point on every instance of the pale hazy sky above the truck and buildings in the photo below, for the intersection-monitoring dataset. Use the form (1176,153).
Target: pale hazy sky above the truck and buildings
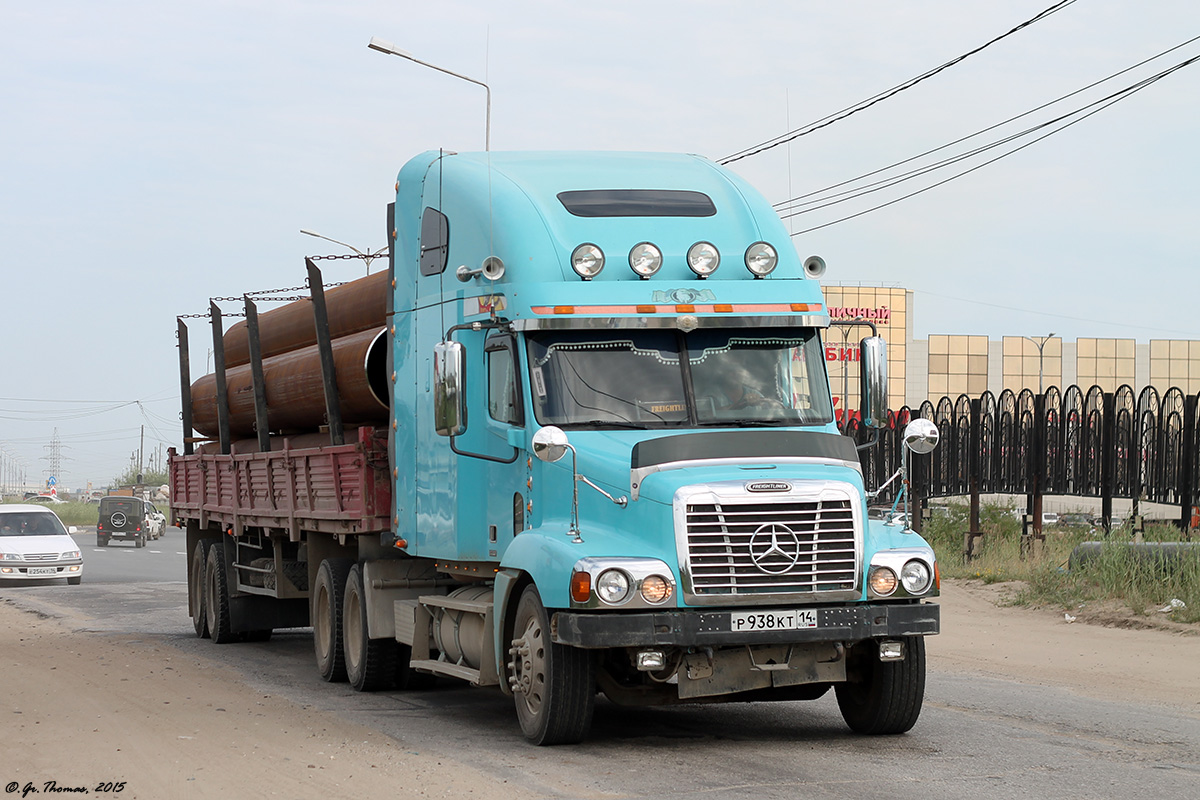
(154,155)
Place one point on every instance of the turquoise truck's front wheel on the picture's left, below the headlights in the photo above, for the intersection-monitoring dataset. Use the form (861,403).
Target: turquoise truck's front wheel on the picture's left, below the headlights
(554,685)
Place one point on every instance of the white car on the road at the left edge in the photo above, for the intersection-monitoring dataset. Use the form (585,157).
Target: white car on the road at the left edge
(35,546)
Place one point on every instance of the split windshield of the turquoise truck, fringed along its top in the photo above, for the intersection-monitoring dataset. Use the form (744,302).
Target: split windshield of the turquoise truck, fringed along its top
(674,380)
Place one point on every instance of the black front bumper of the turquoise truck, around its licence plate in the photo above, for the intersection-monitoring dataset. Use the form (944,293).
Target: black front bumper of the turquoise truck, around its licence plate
(691,628)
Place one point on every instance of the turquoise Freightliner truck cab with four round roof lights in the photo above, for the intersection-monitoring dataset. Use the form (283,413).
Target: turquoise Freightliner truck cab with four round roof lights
(613,424)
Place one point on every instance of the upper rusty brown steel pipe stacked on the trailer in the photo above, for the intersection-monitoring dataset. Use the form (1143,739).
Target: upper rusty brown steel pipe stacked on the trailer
(352,308)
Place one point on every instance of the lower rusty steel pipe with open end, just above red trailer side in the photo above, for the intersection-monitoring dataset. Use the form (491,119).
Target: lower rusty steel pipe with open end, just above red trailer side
(296,399)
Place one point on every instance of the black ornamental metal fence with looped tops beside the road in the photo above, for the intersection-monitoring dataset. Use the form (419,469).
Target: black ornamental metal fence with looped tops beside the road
(1082,443)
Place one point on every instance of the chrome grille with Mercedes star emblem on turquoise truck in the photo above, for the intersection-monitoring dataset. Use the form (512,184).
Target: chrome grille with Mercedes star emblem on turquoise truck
(751,546)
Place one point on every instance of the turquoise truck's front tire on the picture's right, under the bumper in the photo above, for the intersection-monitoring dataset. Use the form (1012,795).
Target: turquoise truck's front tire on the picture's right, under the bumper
(887,696)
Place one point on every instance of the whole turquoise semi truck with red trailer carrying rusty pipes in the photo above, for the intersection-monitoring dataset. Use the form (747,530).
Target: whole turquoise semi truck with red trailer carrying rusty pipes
(579,441)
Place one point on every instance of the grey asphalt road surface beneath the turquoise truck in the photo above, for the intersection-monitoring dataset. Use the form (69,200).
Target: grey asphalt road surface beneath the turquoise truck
(976,737)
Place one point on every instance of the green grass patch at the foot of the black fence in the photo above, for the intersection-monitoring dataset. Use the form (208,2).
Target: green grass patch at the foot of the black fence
(1144,586)
